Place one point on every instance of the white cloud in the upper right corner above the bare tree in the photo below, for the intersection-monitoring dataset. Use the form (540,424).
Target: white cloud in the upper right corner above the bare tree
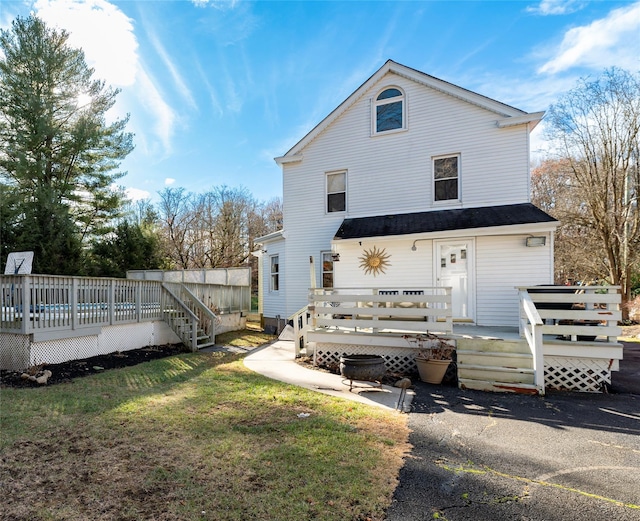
(603,43)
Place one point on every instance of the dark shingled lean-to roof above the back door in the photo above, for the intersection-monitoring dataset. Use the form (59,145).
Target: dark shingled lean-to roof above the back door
(442,221)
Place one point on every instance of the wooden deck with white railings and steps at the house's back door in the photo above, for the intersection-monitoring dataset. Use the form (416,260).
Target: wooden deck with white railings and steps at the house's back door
(567,337)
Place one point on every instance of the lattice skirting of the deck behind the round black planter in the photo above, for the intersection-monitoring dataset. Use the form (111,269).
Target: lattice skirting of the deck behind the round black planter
(400,360)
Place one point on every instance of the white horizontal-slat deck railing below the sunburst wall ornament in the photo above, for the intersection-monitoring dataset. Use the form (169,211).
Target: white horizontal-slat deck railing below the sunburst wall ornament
(379,310)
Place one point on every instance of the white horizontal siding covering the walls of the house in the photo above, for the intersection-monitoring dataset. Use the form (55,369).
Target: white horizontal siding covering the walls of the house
(392,173)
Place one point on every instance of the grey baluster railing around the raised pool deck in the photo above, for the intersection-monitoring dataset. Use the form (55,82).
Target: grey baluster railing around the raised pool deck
(53,304)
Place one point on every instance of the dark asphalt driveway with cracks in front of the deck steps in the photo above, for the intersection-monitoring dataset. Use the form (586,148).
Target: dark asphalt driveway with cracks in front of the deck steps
(481,456)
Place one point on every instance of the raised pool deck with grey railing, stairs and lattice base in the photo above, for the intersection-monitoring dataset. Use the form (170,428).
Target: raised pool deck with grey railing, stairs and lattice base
(45,317)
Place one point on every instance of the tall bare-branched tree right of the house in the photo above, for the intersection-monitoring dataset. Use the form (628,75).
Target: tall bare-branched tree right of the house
(595,128)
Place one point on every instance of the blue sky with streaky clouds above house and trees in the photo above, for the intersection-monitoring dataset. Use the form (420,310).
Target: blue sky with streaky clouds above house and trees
(217,89)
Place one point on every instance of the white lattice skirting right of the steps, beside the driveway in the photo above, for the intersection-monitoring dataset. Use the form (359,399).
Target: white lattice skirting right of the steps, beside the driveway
(576,374)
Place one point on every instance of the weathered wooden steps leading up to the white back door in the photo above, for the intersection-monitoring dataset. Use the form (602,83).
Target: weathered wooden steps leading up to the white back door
(495,365)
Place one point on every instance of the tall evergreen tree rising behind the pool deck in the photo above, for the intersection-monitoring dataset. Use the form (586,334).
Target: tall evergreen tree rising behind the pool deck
(58,154)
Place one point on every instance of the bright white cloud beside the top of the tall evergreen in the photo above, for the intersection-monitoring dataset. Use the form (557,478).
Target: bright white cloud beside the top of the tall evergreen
(102,30)
